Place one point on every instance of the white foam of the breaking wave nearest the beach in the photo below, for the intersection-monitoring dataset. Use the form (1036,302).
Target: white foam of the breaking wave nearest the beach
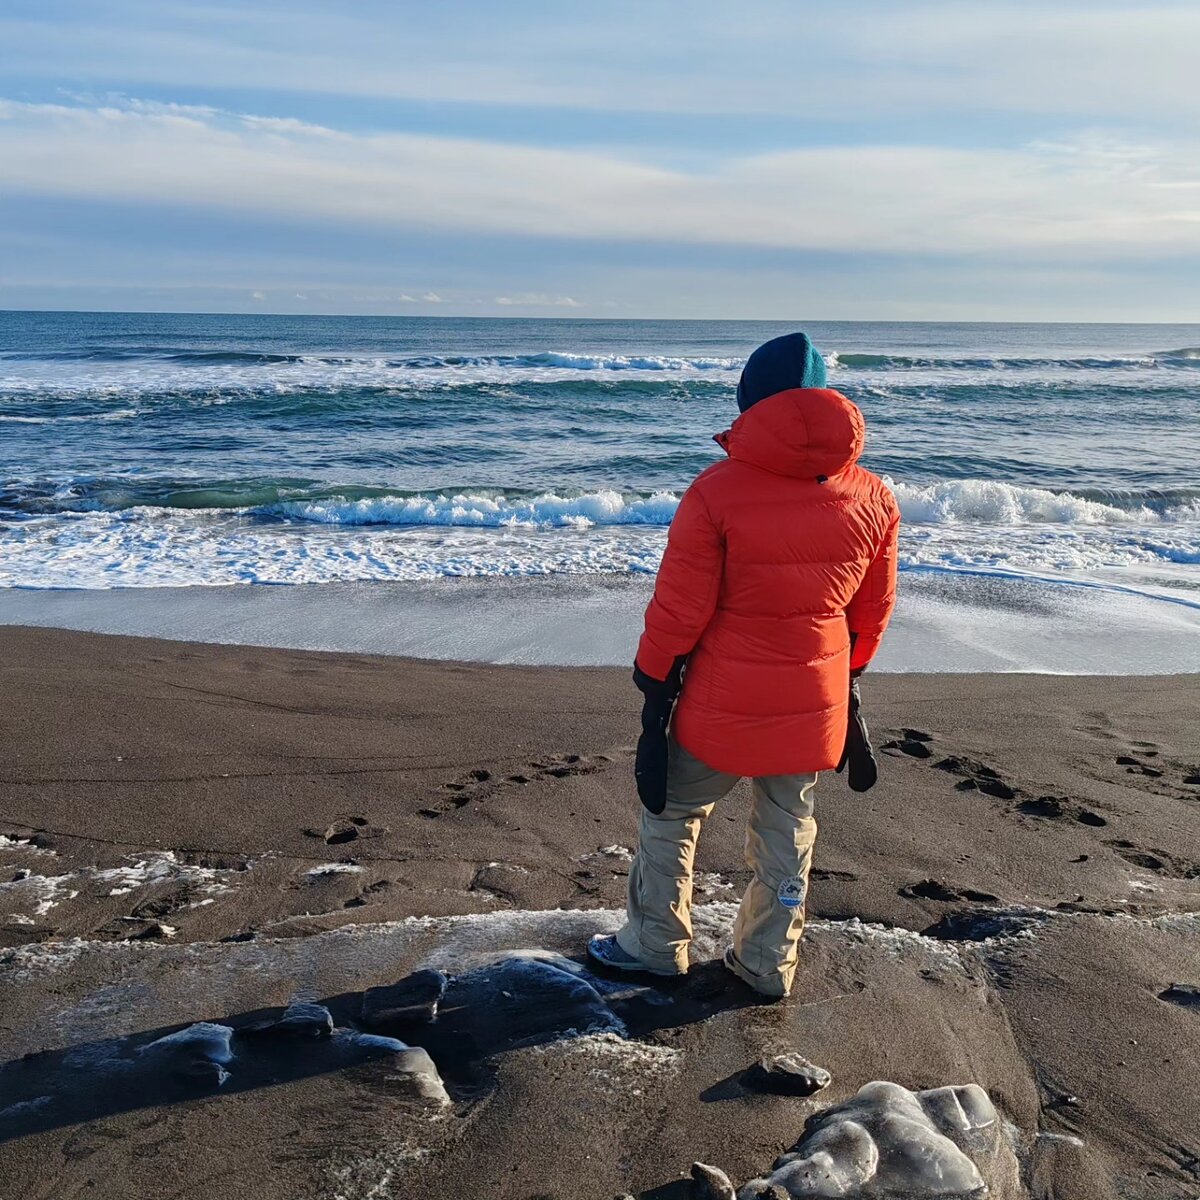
(964,525)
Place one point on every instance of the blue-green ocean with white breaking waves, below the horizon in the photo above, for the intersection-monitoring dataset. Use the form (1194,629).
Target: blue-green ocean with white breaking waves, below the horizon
(172,451)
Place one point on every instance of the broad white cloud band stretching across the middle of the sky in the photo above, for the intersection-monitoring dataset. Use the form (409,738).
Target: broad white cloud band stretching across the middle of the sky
(1085,199)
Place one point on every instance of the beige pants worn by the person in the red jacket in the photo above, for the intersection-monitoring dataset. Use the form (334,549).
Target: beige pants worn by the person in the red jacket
(779,850)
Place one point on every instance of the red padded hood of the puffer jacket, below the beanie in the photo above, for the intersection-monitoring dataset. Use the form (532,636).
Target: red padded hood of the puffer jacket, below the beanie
(805,433)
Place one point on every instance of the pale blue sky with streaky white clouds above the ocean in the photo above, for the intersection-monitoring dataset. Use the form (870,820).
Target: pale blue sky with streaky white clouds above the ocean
(980,160)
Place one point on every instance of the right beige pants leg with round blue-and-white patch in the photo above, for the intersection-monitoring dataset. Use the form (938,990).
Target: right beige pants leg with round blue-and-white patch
(779,850)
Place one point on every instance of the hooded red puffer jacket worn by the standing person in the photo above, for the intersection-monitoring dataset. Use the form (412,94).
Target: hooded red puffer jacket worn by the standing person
(776,556)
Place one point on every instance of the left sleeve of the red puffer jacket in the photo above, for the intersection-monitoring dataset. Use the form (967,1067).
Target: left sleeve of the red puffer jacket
(687,590)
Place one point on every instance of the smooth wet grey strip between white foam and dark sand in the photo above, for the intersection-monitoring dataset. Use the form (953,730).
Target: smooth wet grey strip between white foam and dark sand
(956,622)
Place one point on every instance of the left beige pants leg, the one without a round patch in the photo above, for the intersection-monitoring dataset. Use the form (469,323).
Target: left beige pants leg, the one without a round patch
(658,910)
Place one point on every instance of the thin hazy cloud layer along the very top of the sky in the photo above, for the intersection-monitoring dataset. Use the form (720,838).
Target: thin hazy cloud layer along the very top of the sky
(683,57)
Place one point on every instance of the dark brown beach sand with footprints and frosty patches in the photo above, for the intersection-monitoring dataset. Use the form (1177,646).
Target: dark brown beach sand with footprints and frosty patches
(213,831)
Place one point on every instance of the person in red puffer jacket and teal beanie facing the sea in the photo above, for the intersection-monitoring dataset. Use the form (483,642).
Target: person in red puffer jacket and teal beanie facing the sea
(777,586)
